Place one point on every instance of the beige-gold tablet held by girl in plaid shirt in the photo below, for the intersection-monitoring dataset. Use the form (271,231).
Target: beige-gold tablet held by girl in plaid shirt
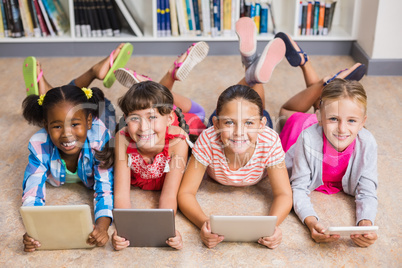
(58,227)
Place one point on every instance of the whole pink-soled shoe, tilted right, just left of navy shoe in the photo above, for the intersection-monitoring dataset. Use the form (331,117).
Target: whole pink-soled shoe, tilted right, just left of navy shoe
(260,71)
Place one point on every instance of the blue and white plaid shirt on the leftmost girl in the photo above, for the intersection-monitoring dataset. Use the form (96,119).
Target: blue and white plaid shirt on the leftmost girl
(45,165)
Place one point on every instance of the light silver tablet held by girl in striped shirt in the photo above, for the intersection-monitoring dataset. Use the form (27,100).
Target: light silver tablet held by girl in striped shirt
(243,228)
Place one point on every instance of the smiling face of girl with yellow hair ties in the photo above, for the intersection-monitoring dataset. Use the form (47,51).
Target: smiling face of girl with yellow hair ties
(68,127)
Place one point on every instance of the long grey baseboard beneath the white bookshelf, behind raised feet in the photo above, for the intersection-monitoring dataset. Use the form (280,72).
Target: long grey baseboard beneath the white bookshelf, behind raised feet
(159,48)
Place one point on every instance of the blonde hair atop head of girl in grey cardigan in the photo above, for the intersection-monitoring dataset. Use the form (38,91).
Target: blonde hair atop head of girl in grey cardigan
(341,88)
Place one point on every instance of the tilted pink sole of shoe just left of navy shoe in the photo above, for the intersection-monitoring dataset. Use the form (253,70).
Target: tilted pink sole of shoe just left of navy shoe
(272,55)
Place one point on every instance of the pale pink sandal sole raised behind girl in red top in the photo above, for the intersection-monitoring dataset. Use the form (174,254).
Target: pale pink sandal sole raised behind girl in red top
(195,56)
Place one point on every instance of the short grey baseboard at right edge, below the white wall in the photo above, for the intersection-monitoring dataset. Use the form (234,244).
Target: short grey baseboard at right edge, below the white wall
(377,67)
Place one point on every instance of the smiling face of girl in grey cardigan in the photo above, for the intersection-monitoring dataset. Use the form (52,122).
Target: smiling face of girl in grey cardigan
(341,120)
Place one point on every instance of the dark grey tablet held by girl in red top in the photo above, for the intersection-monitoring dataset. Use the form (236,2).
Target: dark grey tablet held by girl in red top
(145,227)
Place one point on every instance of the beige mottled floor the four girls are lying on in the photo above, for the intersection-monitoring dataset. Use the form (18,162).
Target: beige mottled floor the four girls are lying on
(204,85)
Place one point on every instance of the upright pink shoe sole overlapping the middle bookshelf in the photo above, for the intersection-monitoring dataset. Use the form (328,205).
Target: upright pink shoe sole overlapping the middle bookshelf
(247,33)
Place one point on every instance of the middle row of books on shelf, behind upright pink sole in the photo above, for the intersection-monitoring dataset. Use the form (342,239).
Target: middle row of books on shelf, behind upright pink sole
(208,17)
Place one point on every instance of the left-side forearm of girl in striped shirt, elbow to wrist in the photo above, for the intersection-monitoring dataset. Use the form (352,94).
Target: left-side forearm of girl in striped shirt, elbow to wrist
(191,209)
